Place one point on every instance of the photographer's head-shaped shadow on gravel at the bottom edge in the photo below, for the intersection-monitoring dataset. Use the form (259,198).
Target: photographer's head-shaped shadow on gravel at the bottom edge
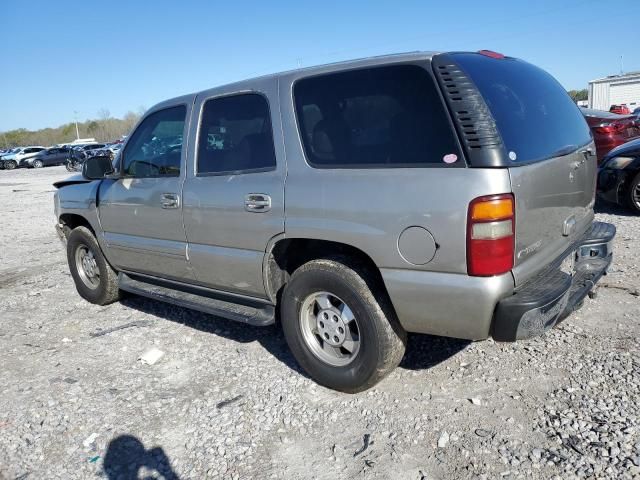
(126,458)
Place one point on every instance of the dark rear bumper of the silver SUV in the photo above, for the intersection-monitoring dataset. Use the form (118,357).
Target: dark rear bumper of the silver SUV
(553,294)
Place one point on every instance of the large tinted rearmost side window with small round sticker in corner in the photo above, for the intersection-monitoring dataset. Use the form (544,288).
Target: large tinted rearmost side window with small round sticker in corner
(374,118)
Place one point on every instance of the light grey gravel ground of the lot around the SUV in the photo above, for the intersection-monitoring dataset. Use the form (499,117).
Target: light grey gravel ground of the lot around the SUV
(228,401)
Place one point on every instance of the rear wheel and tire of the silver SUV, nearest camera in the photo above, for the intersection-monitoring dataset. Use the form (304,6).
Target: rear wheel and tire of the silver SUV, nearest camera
(345,366)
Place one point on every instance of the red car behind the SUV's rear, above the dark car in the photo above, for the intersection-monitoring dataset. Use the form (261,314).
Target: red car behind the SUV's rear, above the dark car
(610,130)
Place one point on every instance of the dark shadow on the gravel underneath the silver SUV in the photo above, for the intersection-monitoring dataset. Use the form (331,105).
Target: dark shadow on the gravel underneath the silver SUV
(423,351)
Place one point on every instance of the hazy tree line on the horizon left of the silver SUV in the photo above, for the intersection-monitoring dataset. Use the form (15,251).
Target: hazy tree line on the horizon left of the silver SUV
(104,128)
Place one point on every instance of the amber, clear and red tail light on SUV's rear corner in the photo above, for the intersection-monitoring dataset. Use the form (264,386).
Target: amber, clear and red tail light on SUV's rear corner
(490,235)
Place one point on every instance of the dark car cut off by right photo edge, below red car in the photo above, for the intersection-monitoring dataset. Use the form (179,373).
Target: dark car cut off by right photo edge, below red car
(619,176)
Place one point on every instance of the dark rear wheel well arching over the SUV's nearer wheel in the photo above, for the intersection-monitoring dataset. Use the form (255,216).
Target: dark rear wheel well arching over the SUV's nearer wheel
(289,254)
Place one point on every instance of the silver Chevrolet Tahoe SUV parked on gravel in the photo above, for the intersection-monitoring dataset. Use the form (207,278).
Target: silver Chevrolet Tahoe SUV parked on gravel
(450,194)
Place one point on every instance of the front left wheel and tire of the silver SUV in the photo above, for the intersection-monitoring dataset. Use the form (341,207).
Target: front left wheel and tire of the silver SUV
(100,289)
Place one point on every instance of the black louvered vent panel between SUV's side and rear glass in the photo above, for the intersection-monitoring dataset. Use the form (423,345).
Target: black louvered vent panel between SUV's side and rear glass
(471,115)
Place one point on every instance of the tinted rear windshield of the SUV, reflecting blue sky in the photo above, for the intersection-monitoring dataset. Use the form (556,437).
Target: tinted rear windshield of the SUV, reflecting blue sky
(535,116)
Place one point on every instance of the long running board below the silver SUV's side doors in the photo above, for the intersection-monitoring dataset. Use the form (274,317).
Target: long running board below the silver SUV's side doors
(258,315)
